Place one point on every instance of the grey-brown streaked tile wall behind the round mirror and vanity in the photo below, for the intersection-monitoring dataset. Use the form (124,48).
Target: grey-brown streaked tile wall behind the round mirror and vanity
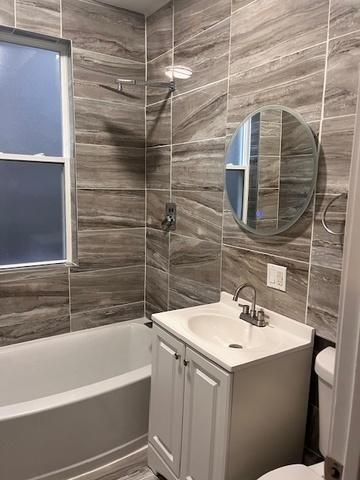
(245,54)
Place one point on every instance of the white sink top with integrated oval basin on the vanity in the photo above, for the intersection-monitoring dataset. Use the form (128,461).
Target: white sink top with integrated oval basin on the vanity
(216,331)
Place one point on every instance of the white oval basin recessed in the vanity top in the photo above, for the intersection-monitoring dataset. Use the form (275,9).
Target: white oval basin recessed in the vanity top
(226,331)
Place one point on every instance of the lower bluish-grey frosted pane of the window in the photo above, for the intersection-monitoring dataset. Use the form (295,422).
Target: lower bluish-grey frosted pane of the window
(32,227)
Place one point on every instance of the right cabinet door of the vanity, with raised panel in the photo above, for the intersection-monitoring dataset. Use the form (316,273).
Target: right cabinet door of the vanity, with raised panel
(206,419)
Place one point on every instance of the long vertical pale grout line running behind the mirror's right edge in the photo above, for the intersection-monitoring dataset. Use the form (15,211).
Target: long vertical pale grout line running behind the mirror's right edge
(319,144)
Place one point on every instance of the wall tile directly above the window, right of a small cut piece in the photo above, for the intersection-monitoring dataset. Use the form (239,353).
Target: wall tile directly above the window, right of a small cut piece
(40,16)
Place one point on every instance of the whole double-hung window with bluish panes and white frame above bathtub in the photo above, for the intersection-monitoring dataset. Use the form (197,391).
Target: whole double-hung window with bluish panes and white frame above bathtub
(35,152)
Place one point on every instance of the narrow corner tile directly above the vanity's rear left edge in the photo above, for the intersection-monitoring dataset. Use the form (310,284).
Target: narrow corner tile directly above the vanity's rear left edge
(157,284)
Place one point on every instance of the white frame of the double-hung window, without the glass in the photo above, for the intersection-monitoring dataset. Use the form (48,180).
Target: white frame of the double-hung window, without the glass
(63,47)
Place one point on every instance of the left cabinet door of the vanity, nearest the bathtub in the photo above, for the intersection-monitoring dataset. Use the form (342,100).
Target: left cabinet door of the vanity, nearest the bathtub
(167,396)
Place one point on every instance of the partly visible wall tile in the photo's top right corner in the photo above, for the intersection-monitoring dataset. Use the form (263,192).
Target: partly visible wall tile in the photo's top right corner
(344,17)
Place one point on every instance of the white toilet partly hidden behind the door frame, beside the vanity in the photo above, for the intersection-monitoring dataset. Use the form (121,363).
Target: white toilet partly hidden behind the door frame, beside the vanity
(325,368)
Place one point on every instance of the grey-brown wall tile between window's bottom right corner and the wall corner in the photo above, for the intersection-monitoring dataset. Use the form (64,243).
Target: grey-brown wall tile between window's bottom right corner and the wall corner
(111,248)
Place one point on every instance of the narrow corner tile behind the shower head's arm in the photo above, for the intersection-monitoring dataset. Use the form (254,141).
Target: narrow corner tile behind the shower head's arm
(156,72)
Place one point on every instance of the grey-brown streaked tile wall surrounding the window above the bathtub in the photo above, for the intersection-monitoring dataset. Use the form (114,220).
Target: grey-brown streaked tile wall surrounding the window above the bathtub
(108,285)
